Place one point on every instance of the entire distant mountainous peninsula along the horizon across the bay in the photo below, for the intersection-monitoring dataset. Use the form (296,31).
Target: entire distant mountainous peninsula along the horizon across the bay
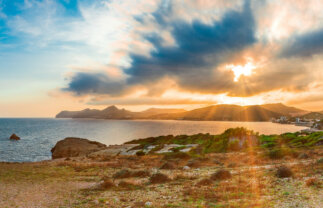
(211,113)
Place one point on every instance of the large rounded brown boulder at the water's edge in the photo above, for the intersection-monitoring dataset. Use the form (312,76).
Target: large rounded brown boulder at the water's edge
(74,147)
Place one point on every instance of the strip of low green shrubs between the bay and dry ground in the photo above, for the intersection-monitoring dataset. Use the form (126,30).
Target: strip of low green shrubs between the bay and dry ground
(233,139)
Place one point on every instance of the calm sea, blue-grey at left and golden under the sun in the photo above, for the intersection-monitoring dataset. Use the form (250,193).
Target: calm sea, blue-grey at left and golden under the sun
(39,135)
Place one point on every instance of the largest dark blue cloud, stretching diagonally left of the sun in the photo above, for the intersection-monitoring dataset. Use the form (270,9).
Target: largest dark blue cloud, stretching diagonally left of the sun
(199,48)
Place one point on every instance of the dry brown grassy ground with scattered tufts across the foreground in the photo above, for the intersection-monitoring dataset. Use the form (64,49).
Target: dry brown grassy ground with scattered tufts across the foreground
(253,182)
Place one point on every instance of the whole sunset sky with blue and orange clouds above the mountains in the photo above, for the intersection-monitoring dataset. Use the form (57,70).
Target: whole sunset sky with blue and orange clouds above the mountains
(73,54)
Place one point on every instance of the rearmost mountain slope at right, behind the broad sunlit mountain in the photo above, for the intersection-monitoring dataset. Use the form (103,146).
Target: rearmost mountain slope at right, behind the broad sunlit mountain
(283,109)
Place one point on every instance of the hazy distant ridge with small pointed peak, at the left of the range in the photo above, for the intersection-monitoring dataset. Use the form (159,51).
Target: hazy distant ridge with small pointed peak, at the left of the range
(112,112)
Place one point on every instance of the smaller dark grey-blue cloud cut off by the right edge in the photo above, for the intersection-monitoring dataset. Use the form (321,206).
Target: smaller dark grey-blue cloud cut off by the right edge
(304,45)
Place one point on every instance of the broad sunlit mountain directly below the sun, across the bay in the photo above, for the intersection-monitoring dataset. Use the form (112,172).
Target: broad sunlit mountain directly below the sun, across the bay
(224,113)
